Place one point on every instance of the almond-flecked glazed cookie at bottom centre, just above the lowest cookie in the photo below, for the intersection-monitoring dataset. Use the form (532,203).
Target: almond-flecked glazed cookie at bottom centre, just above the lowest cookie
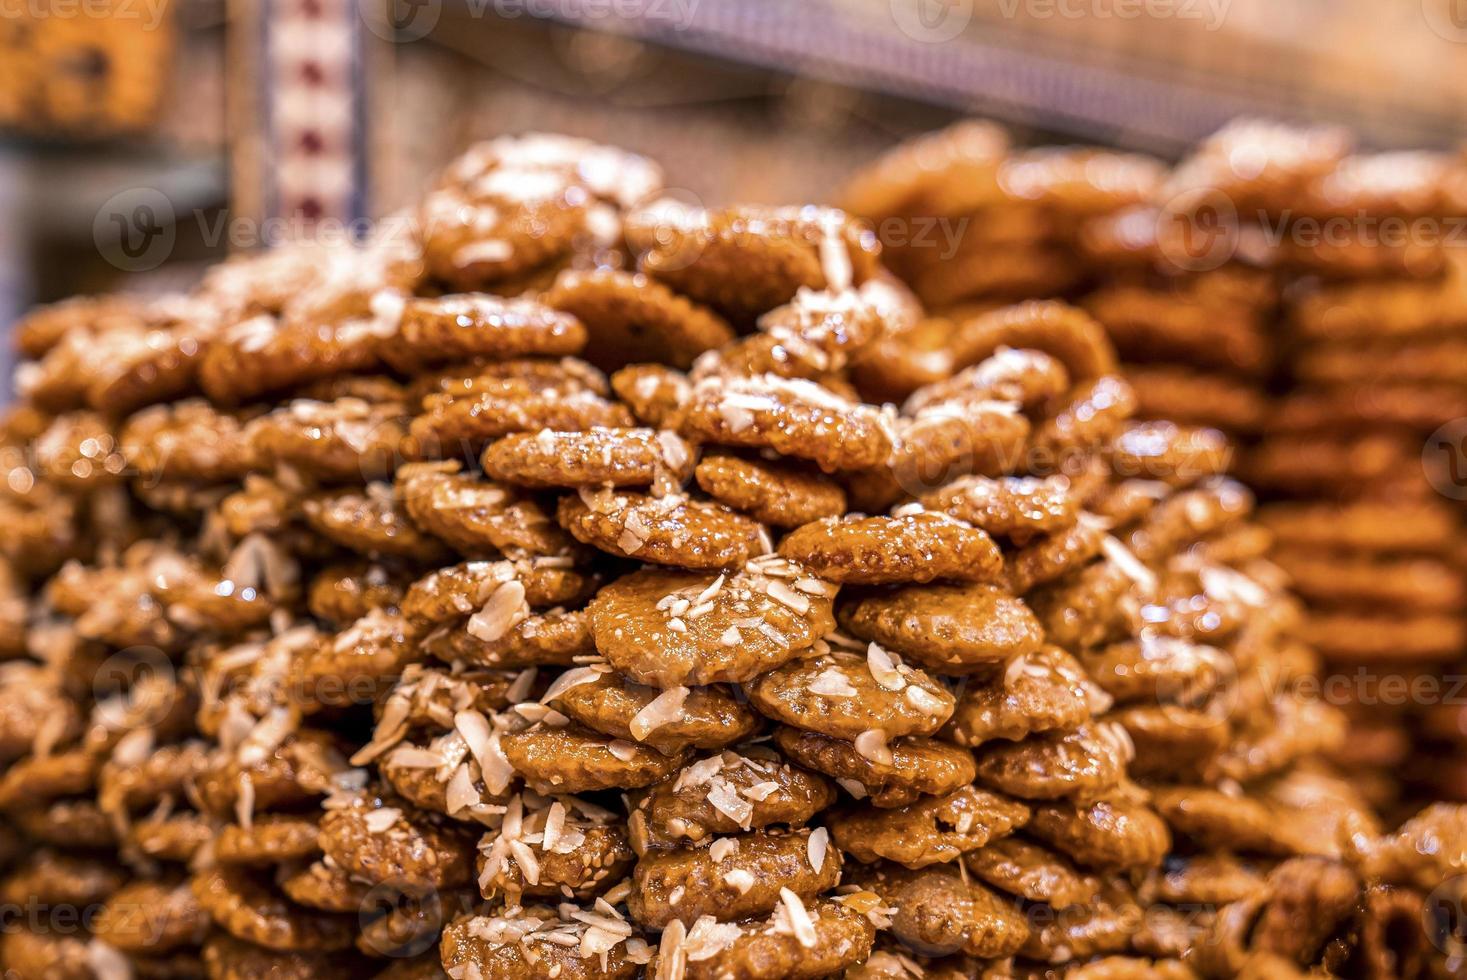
(745,878)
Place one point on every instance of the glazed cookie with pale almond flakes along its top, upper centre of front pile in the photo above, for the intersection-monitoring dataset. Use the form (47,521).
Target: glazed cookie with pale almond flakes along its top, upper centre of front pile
(793,417)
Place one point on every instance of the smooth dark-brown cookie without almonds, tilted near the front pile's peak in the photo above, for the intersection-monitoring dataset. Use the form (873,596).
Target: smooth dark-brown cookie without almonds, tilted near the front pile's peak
(632,318)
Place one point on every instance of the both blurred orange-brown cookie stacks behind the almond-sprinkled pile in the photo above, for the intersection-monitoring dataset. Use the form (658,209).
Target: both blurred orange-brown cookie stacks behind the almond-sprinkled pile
(1283,290)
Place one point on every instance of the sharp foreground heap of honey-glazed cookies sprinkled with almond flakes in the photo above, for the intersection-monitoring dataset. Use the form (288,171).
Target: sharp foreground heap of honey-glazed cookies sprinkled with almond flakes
(563,592)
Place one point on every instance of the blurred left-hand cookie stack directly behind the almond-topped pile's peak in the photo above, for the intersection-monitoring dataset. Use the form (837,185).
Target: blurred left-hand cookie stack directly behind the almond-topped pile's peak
(1188,301)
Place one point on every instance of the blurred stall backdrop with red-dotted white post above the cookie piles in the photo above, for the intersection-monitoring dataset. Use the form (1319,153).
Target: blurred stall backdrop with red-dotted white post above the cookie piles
(142,140)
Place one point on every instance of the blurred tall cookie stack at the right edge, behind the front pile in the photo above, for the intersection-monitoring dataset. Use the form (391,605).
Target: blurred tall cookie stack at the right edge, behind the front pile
(1374,253)
